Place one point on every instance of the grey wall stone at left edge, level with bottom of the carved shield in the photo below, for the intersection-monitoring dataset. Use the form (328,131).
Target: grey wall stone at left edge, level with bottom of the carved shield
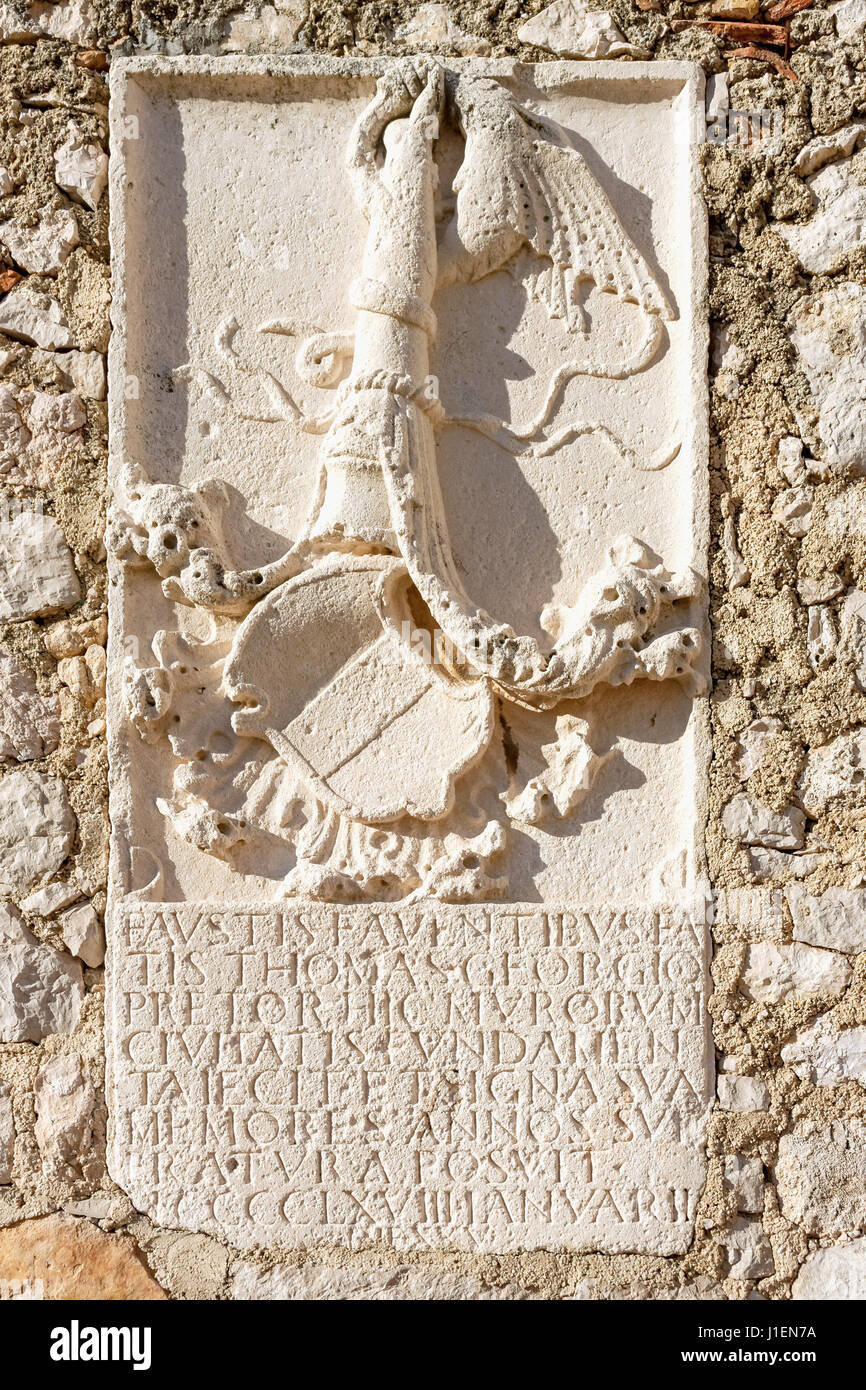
(37,829)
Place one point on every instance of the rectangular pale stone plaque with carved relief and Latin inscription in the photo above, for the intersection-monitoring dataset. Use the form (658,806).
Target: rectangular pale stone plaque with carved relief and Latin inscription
(408,653)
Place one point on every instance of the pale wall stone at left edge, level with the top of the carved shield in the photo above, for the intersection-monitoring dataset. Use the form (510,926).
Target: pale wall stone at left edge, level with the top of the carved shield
(37,572)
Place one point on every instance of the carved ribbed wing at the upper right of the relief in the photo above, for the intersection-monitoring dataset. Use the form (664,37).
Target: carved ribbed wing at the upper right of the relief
(518,188)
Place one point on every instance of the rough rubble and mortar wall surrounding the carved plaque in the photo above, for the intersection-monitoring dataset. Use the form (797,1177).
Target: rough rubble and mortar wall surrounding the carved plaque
(785,1209)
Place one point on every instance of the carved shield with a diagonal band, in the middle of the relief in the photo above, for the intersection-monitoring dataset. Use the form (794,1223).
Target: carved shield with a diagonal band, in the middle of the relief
(325,671)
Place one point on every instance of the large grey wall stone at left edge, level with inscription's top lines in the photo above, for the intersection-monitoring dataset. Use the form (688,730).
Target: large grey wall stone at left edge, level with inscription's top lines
(41,989)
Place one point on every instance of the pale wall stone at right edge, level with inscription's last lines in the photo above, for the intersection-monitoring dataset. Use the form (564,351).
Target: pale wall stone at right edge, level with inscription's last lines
(821,1177)
